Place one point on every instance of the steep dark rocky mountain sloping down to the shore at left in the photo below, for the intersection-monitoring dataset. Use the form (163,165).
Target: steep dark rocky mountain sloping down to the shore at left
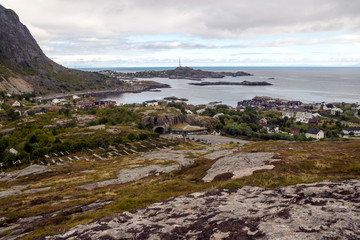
(25,68)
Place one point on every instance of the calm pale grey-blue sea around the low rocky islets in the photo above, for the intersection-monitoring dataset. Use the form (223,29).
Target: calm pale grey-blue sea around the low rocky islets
(307,84)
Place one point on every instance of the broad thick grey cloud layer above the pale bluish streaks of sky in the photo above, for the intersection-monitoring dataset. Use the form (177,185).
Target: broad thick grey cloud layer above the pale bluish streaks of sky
(210,18)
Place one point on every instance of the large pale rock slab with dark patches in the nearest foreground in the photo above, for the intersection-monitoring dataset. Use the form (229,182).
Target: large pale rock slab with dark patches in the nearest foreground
(306,211)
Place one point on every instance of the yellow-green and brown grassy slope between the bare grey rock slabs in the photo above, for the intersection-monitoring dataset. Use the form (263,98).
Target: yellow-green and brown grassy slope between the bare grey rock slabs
(300,163)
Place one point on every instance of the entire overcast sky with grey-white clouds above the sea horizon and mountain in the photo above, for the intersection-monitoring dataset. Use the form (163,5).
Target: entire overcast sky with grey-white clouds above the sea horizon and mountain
(129,33)
